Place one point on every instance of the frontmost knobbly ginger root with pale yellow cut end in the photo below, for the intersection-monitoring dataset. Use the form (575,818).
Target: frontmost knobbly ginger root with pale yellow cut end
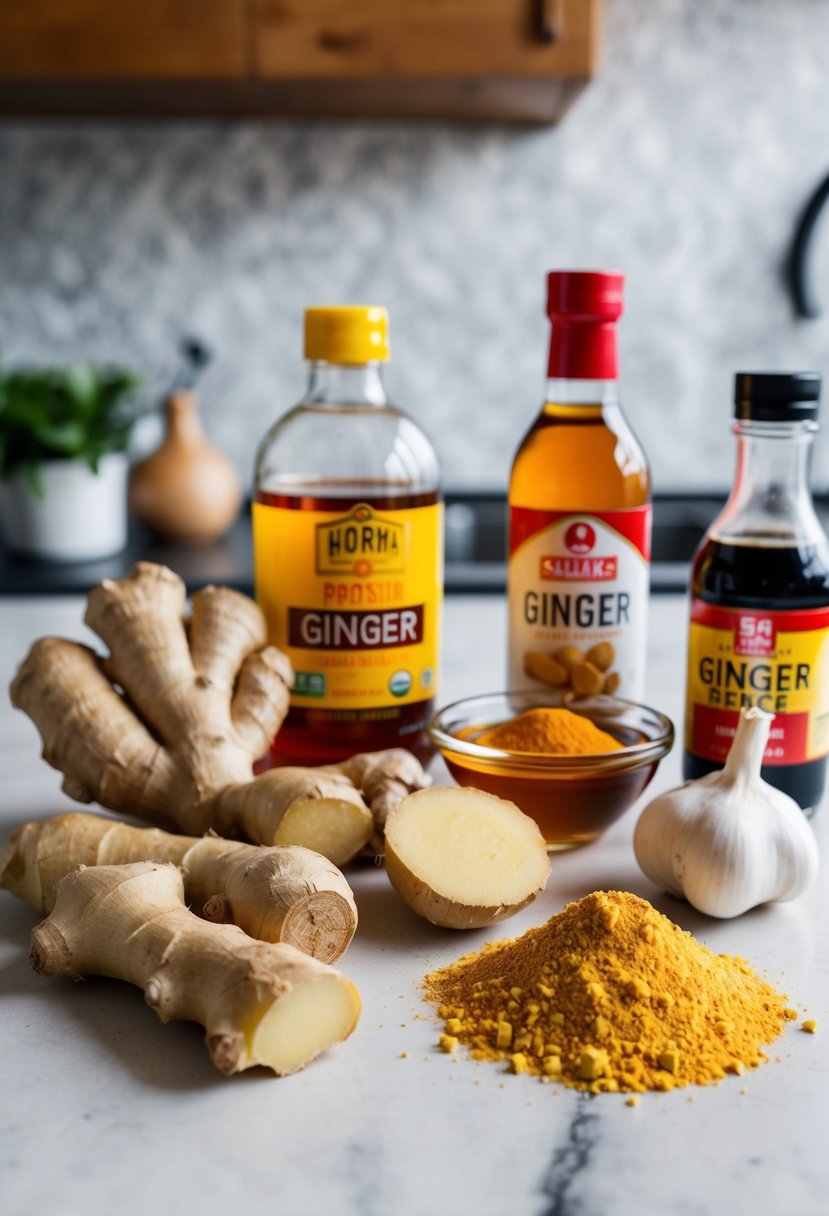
(260,1003)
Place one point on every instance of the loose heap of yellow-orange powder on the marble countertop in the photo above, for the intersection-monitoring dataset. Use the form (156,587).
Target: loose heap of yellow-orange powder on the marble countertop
(611,997)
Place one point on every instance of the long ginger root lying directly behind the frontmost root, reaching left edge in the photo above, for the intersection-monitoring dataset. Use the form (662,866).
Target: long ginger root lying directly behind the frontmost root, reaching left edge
(291,896)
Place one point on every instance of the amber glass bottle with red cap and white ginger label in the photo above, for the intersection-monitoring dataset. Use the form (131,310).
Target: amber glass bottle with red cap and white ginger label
(580,513)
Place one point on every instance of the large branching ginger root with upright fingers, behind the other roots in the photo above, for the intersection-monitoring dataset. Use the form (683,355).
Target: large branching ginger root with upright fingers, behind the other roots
(200,701)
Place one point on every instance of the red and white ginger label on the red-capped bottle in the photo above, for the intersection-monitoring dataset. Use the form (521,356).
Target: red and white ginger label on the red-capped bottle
(579,581)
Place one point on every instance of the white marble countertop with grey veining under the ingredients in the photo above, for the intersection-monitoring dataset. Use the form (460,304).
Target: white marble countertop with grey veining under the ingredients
(105,1111)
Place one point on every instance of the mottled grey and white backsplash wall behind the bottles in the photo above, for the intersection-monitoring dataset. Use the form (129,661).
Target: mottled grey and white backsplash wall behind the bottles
(686,164)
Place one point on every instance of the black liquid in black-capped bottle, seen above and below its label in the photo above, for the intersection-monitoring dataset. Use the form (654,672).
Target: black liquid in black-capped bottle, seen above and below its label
(776,578)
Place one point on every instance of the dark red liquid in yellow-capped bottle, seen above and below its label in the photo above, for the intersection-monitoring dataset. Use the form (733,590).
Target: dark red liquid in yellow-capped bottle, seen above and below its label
(324,736)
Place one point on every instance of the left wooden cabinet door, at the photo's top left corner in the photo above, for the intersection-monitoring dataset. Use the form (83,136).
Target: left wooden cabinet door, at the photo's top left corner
(123,40)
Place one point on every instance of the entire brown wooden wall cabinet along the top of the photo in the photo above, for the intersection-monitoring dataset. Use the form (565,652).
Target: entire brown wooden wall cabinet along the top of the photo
(510,60)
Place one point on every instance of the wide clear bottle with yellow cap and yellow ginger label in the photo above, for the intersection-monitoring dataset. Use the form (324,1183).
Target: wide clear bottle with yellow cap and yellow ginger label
(348,550)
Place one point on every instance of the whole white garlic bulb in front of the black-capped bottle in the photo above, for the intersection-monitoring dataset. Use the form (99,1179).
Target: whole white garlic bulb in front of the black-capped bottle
(729,841)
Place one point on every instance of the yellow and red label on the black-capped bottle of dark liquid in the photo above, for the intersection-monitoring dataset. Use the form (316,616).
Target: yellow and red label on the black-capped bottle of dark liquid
(777,661)
